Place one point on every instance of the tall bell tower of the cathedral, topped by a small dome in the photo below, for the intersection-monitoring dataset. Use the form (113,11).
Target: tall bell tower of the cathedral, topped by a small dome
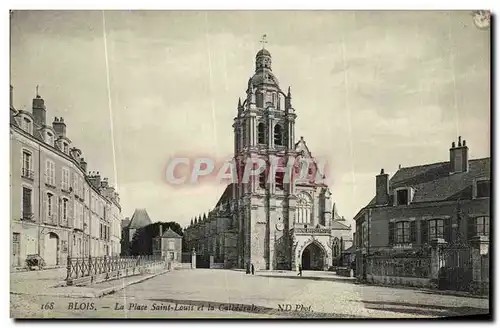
(264,128)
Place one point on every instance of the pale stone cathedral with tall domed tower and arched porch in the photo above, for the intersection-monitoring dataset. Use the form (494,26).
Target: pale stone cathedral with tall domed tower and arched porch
(272,223)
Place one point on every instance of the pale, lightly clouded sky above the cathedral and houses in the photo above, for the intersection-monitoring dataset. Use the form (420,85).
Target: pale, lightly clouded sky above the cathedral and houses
(371,90)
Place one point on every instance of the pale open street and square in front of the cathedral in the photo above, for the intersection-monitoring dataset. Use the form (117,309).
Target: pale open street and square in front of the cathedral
(225,293)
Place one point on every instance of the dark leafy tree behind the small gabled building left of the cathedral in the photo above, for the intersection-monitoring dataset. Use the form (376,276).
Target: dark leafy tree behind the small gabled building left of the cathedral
(142,241)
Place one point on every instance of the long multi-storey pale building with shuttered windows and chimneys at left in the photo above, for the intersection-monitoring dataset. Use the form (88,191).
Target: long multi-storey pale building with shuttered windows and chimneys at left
(57,209)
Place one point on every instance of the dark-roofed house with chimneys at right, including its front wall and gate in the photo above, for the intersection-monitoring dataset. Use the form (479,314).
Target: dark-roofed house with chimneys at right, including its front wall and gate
(428,223)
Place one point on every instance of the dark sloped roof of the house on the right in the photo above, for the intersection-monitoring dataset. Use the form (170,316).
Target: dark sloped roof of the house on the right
(433,182)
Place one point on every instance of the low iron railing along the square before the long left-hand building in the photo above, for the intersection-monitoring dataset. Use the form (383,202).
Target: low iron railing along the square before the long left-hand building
(80,267)
